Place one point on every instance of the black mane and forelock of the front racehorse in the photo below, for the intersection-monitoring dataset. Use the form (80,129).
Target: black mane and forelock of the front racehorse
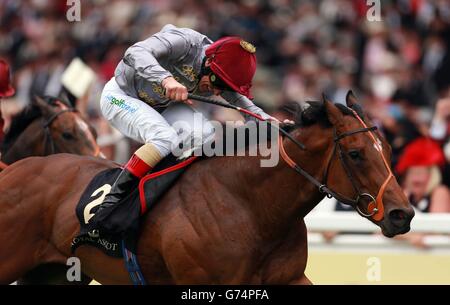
(314,113)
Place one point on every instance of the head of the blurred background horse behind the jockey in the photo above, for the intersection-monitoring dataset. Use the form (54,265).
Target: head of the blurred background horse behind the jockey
(65,129)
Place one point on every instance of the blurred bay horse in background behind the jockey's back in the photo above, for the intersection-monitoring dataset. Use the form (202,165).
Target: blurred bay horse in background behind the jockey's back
(48,126)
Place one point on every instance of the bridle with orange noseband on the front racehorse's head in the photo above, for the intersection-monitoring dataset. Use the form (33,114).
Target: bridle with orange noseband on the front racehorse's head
(376,206)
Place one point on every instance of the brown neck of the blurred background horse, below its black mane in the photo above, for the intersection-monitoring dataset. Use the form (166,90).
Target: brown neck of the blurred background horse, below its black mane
(29,143)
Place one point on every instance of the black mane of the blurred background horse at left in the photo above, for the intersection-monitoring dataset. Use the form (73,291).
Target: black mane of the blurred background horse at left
(23,119)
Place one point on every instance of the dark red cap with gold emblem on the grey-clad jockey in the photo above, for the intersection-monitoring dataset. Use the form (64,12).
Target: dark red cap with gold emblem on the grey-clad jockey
(234,61)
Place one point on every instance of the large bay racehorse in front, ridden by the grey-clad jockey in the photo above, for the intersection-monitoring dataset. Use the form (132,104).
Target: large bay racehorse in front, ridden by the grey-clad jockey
(226,220)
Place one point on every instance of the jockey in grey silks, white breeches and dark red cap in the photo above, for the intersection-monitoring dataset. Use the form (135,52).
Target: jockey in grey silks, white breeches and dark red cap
(158,71)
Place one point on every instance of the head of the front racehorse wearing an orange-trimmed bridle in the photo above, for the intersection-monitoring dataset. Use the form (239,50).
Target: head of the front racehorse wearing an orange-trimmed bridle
(361,162)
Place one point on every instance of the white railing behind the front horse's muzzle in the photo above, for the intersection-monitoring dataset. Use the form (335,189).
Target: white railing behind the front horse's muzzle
(435,227)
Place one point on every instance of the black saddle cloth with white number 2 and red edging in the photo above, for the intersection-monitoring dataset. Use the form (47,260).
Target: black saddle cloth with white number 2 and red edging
(151,188)
